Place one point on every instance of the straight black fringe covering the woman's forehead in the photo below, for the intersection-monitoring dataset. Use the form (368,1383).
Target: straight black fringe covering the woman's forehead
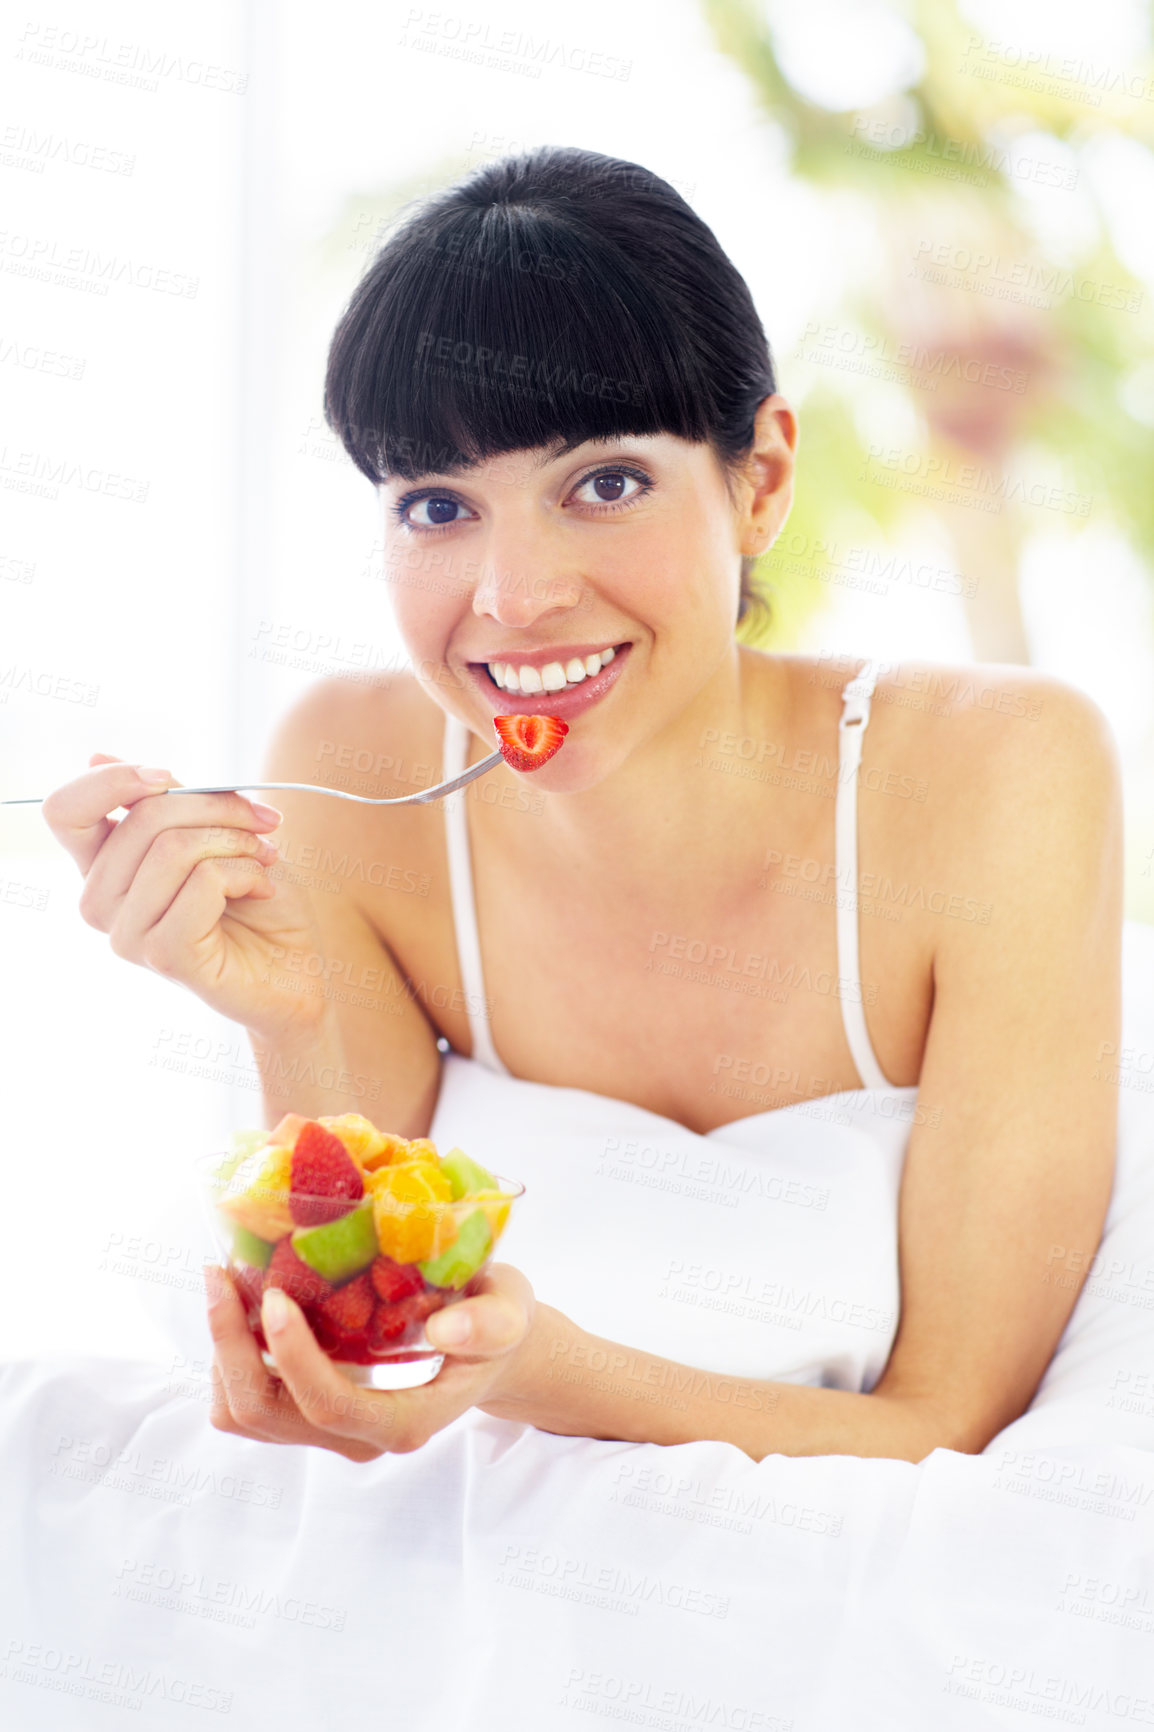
(505,332)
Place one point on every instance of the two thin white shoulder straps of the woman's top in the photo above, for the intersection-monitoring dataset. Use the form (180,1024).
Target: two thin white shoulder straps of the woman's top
(853,725)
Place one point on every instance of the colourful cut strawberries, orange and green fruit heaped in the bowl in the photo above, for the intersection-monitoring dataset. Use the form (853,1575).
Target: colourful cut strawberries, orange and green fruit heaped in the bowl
(368,1232)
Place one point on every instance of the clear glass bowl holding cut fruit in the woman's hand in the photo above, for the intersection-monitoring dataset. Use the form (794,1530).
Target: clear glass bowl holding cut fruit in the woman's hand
(366,1272)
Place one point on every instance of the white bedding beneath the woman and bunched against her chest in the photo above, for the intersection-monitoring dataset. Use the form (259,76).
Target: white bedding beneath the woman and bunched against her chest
(509,1579)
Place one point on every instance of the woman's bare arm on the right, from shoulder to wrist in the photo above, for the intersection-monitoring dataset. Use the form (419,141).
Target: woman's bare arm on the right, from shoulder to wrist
(1006,1184)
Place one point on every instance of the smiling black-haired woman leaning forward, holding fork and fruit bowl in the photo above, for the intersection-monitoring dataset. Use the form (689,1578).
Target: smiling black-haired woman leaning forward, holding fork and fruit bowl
(562,391)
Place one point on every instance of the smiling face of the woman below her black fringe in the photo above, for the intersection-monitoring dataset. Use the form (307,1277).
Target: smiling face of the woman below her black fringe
(600,586)
